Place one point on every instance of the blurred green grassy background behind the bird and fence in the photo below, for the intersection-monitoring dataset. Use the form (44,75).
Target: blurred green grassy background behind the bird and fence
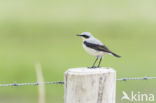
(44,31)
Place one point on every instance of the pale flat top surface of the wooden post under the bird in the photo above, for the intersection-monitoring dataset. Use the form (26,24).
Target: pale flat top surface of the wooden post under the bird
(84,70)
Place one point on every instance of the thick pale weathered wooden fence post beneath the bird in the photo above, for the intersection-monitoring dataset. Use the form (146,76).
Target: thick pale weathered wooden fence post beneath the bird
(83,85)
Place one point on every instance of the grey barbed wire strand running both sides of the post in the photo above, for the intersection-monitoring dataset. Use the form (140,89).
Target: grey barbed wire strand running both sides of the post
(61,82)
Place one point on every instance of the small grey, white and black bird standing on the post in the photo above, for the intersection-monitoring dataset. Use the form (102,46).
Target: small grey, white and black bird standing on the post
(95,47)
